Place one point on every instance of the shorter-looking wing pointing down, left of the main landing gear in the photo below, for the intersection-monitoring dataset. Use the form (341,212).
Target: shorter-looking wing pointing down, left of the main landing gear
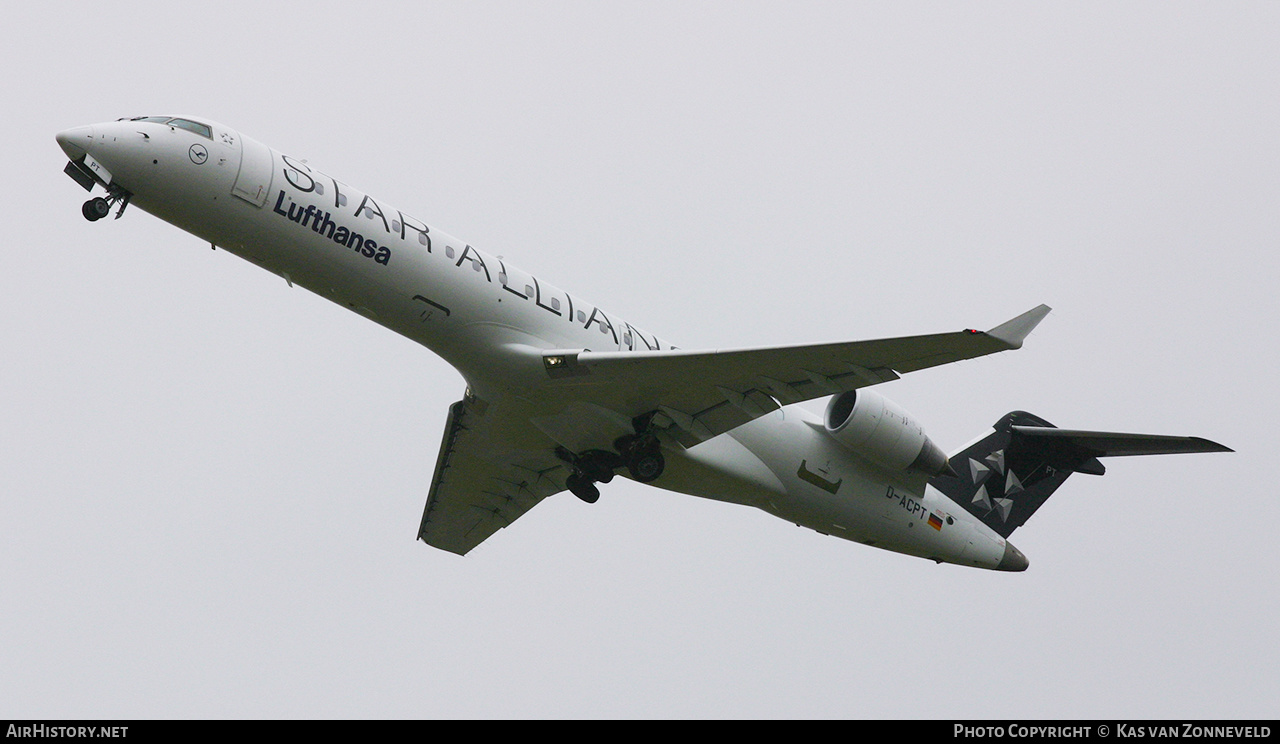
(493,468)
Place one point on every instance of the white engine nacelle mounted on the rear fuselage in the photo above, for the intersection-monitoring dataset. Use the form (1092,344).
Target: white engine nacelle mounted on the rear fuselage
(880,431)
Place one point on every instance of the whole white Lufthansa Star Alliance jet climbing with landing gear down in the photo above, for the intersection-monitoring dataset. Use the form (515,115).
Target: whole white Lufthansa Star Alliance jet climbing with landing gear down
(564,396)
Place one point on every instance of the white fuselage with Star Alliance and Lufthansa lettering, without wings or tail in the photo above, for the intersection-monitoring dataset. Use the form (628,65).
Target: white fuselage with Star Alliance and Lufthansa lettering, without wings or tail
(491,321)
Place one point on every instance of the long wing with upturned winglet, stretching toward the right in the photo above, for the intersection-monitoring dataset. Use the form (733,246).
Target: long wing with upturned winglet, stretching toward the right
(700,395)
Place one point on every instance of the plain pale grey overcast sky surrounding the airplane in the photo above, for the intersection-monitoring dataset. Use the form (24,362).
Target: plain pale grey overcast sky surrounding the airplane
(211,483)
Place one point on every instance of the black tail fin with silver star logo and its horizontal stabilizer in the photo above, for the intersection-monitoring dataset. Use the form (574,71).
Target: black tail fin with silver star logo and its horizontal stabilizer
(1007,476)
